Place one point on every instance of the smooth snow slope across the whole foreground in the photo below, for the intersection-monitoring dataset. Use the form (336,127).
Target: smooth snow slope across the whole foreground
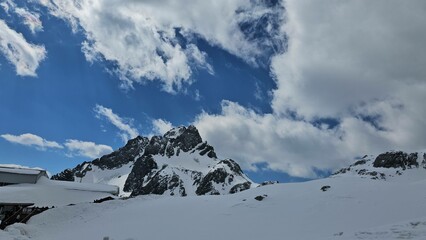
(352,208)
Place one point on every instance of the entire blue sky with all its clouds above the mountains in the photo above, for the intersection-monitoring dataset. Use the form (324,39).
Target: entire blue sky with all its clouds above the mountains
(292,90)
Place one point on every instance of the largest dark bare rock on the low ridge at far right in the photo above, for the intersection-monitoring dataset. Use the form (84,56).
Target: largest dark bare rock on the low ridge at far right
(396,160)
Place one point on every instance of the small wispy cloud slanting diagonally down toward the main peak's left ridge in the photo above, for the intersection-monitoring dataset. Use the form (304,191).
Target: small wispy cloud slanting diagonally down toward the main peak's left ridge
(124,125)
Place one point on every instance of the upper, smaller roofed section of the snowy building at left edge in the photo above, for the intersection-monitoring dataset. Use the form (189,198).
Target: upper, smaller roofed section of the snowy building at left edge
(16,175)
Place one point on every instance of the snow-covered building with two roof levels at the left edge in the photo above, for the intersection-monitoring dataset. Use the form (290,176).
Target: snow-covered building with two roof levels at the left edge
(25,192)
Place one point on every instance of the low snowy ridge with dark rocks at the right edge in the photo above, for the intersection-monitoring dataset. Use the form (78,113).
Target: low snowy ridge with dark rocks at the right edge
(387,165)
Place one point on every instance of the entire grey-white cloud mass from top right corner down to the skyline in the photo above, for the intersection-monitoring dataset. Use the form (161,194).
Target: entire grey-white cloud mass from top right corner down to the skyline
(351,82)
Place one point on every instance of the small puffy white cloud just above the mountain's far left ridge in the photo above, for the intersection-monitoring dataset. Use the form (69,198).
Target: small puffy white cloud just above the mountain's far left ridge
(87,149)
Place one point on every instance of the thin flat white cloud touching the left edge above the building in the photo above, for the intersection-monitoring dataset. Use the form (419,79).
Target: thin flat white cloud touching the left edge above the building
(31,140)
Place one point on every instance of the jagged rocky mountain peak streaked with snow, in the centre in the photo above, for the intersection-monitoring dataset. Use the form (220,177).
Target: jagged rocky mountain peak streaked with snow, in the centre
(177,163)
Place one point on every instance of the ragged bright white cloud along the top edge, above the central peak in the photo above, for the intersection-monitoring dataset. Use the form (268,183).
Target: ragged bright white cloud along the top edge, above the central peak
(151,40)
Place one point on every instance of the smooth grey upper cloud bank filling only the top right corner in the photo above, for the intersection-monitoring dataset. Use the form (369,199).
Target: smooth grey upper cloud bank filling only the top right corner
(345,54)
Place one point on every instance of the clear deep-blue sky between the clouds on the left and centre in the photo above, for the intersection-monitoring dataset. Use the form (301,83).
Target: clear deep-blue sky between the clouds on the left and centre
(59,103)
